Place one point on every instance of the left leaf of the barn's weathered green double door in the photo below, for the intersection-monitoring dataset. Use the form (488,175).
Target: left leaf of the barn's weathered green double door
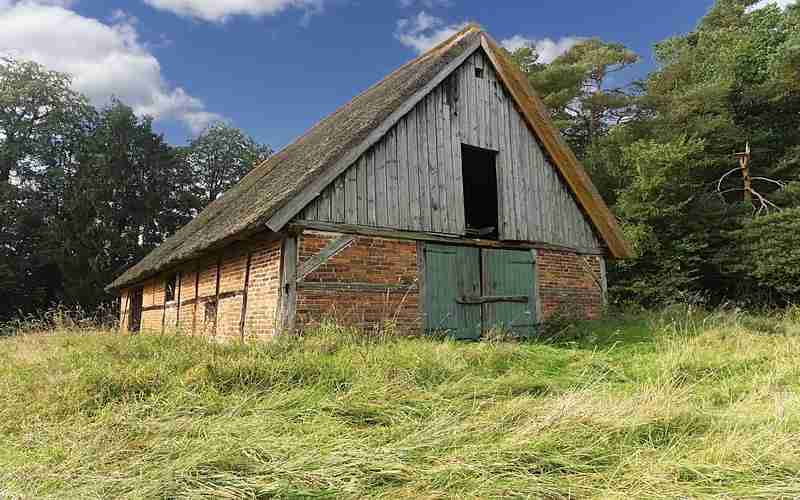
(452,273)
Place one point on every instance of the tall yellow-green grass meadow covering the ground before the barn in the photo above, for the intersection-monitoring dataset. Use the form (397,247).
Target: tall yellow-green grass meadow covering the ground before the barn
(678,404)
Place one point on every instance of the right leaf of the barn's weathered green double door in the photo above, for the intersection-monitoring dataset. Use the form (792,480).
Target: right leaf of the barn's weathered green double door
(509,285)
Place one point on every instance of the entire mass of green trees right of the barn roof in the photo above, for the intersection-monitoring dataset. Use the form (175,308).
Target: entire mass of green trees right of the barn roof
(661,150)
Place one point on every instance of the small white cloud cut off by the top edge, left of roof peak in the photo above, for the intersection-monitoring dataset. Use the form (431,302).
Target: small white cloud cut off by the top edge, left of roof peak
(222,10)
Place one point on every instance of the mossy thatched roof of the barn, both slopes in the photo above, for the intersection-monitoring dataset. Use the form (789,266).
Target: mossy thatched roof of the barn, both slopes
(248,206)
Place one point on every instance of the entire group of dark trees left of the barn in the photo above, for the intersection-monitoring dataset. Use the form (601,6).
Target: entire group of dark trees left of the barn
(85,193)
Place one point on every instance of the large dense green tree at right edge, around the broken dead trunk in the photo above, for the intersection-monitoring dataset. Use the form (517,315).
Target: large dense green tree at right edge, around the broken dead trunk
(721,86)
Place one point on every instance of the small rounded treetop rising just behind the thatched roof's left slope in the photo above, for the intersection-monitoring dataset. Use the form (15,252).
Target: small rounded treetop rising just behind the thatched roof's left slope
(219,157)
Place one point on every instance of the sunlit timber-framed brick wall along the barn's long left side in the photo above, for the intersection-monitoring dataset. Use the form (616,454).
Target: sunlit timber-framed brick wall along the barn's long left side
(199,312)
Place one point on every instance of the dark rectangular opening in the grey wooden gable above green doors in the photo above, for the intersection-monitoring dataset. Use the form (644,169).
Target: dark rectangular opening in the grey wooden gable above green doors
(480,191)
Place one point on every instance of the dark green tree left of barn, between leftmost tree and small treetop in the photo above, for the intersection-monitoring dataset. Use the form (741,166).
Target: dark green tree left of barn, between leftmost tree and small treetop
(128,193)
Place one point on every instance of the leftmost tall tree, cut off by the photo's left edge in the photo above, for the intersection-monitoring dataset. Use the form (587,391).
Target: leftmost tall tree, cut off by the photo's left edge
(42,124)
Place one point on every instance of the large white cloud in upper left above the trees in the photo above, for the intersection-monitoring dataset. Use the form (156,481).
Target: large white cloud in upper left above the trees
(104,59)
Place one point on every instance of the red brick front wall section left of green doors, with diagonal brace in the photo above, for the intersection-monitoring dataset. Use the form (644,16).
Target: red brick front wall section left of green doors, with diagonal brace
(372,281)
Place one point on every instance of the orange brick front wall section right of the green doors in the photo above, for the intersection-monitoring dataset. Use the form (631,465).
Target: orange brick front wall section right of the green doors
(569,282)
